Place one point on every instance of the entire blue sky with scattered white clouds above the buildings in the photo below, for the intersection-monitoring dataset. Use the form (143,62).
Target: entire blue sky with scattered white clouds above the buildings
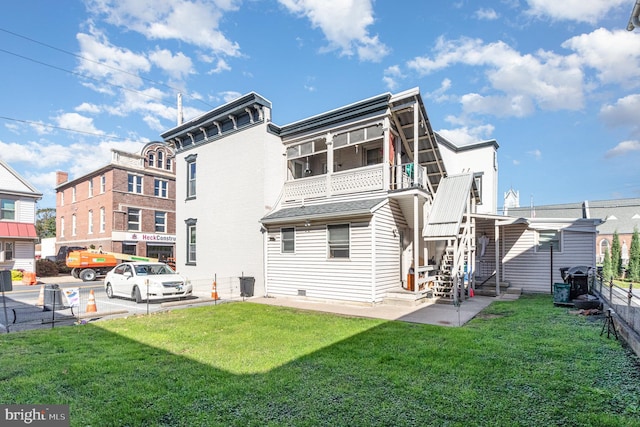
(555,83)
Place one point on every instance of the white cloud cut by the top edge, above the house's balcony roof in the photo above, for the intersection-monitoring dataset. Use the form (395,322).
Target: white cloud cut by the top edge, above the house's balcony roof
(344,23)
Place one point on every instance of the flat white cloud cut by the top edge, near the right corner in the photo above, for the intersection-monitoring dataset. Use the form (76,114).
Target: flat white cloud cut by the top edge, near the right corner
(590,11)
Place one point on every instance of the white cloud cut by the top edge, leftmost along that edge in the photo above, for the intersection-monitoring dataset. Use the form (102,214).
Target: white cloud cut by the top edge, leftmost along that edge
(193,22)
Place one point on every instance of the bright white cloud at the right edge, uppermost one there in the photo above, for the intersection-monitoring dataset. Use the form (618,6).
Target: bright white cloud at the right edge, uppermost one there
(615,55)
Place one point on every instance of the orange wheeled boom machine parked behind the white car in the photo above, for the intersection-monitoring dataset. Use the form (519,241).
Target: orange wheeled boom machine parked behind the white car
(88,265)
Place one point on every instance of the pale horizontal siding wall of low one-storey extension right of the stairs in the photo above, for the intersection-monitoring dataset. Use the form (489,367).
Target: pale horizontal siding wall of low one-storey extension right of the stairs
(525,268)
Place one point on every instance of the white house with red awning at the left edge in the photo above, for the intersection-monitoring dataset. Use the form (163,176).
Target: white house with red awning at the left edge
(17,221)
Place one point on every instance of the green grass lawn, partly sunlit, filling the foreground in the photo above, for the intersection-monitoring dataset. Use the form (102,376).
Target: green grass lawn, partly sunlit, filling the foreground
(519,363)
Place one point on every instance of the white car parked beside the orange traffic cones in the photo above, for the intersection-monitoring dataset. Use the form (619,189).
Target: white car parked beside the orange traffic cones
(142,281)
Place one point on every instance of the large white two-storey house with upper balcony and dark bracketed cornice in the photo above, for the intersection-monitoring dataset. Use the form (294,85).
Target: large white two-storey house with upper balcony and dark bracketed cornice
(364,203)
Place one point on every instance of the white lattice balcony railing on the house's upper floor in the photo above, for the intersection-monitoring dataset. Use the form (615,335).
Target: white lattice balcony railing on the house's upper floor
(359,180)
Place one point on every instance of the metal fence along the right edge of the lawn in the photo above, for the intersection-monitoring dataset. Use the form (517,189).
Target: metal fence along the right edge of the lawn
(624,301)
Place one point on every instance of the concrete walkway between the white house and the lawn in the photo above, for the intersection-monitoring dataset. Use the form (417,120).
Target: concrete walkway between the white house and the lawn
(428,313)
